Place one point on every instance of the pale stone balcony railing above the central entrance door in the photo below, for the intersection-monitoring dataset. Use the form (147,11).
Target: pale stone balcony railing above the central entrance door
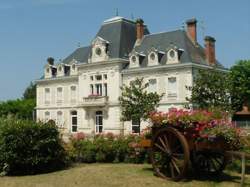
(95,100)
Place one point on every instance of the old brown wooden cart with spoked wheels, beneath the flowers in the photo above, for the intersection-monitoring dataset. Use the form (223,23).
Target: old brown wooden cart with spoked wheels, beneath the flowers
(172,152)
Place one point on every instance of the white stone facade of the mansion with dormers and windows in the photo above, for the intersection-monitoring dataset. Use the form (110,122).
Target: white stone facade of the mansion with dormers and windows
(83,97)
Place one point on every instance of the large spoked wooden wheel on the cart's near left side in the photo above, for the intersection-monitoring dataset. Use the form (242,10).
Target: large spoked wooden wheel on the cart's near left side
(170,154)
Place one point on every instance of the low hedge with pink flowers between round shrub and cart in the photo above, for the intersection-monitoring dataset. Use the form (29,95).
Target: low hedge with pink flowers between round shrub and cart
(107,147)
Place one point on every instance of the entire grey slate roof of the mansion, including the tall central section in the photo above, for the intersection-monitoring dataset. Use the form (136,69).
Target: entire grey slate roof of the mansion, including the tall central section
(121,35)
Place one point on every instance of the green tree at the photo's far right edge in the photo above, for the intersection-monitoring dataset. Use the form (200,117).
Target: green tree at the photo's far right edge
(240,84)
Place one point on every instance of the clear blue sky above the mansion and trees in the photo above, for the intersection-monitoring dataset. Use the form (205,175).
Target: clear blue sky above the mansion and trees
(32,30)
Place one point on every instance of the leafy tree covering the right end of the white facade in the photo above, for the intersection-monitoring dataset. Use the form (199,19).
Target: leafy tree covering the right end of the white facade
(211,90)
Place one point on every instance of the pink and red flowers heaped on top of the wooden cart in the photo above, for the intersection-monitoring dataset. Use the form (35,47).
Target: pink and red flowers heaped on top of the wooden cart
(199,124)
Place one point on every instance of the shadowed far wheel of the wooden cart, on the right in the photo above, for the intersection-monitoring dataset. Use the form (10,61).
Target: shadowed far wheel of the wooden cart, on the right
(209,162)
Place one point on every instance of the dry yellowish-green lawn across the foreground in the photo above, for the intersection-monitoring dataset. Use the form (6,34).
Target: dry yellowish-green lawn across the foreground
(108,175)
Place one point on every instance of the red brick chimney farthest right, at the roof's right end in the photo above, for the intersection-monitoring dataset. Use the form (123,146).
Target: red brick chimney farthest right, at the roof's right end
(210,50)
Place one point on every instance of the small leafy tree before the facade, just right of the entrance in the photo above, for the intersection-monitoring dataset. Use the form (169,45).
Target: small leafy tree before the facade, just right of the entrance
(136,102)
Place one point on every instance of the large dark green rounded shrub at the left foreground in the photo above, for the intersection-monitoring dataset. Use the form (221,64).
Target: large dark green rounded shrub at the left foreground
(27,147)
